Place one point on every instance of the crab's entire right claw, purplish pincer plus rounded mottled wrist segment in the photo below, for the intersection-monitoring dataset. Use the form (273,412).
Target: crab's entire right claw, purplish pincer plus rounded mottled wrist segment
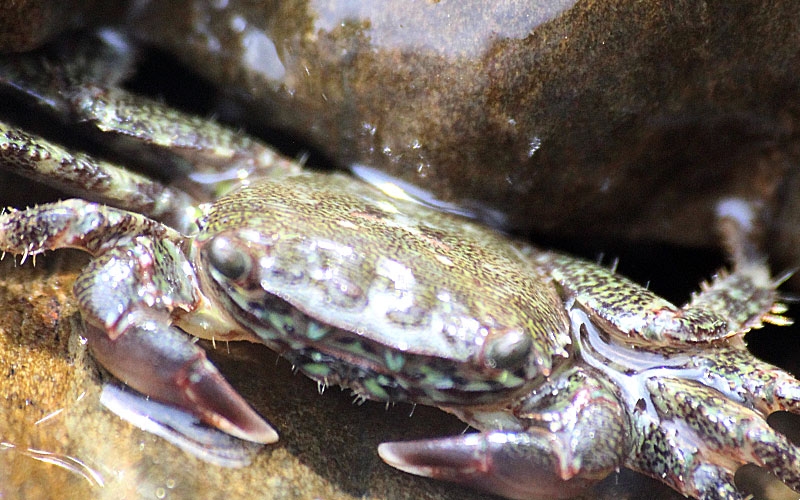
(574,433)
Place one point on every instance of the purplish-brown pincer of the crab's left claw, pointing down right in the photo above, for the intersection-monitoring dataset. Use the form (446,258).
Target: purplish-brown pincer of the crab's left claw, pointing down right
(161,362)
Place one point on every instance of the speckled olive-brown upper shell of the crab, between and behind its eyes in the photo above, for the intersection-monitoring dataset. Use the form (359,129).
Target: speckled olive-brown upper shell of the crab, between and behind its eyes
(441,251)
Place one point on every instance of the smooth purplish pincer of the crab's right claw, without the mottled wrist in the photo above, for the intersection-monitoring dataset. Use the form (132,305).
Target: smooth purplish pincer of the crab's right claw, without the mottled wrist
(527,465)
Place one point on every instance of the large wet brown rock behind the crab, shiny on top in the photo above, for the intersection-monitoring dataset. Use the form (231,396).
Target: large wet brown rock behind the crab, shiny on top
(603,119)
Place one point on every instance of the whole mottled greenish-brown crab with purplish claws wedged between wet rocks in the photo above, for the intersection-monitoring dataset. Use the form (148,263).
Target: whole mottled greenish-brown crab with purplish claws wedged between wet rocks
(567,370)
